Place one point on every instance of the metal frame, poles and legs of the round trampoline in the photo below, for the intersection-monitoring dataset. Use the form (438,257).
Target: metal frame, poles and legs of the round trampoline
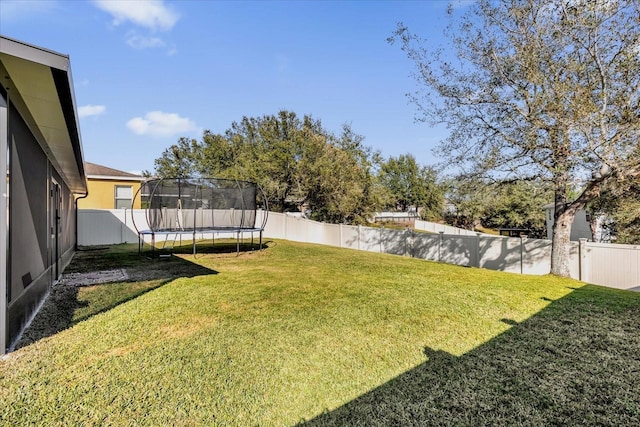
(178,232)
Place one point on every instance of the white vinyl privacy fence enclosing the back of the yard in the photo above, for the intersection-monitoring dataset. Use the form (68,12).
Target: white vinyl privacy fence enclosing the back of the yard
(610,265)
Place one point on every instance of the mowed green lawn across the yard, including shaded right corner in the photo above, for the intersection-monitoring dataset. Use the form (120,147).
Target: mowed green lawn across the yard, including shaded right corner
(310,334)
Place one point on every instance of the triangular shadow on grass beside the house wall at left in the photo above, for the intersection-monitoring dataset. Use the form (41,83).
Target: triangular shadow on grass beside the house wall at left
(68,304)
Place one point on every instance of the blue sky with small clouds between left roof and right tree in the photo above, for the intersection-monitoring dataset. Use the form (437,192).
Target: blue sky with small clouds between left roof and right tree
(147,73)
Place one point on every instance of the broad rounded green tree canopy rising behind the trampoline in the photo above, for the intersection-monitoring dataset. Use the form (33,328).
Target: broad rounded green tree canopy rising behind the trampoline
(298,164)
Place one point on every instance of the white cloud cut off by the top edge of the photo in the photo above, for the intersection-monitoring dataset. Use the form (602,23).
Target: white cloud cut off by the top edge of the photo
(151,14)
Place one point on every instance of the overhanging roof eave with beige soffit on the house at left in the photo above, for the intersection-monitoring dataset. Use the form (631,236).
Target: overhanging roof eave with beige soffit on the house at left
(40,87)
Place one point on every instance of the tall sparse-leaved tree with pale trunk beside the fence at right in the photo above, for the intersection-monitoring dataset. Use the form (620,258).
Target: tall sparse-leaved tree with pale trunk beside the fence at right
(545,89)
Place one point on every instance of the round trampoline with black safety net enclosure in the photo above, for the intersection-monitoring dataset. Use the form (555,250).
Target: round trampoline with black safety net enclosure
(186,206)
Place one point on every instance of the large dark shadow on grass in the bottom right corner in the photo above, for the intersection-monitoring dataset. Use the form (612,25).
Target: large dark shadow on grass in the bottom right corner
(577,362)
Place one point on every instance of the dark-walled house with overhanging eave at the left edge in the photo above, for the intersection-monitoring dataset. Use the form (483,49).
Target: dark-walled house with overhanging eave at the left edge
(41,156)
